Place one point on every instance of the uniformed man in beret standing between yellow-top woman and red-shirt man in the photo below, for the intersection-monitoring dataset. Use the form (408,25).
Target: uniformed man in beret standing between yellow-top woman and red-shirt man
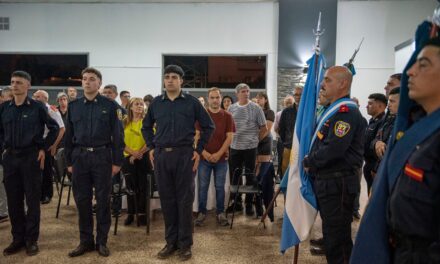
(175,160)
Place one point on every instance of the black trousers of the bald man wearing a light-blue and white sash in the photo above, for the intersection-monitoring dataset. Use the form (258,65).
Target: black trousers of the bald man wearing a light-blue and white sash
(335,201)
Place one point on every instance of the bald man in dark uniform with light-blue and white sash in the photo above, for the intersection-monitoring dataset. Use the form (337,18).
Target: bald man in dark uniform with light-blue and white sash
(334,162)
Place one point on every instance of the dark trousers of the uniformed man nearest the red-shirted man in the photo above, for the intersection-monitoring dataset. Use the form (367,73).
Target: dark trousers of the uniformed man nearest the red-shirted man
(175,182)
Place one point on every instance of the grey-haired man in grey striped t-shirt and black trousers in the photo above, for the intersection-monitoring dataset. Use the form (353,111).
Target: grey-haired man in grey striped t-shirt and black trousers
(250,128)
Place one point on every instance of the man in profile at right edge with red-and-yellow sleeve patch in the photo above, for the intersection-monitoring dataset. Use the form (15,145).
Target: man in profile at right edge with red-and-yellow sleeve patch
(414,205)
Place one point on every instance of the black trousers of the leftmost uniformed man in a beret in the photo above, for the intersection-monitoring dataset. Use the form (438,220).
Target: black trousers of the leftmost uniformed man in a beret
(22,179)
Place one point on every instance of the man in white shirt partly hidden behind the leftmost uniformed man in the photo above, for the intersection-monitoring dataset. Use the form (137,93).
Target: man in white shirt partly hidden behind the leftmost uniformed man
(47,184)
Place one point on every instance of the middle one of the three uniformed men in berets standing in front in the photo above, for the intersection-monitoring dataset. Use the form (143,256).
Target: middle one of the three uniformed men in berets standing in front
(94,145)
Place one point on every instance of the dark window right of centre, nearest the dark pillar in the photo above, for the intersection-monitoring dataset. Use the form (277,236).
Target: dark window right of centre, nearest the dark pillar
(221,71)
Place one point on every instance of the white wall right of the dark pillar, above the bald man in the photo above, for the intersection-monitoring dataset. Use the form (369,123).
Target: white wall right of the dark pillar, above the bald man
(384,24)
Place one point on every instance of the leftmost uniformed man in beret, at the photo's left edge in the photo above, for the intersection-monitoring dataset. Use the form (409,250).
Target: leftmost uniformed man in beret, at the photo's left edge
(21,135)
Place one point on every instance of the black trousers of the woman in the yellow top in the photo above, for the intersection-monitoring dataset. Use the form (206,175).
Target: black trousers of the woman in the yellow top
(136,180)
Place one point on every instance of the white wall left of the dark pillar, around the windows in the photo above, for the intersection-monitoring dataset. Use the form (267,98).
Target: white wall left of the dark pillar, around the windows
(126,41)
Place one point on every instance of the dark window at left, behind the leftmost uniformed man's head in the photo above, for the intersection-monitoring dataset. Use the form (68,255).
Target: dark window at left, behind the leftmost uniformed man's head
(46,69)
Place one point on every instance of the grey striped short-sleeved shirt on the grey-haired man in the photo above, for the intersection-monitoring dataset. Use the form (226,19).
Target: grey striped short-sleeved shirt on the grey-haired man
(248,120)
